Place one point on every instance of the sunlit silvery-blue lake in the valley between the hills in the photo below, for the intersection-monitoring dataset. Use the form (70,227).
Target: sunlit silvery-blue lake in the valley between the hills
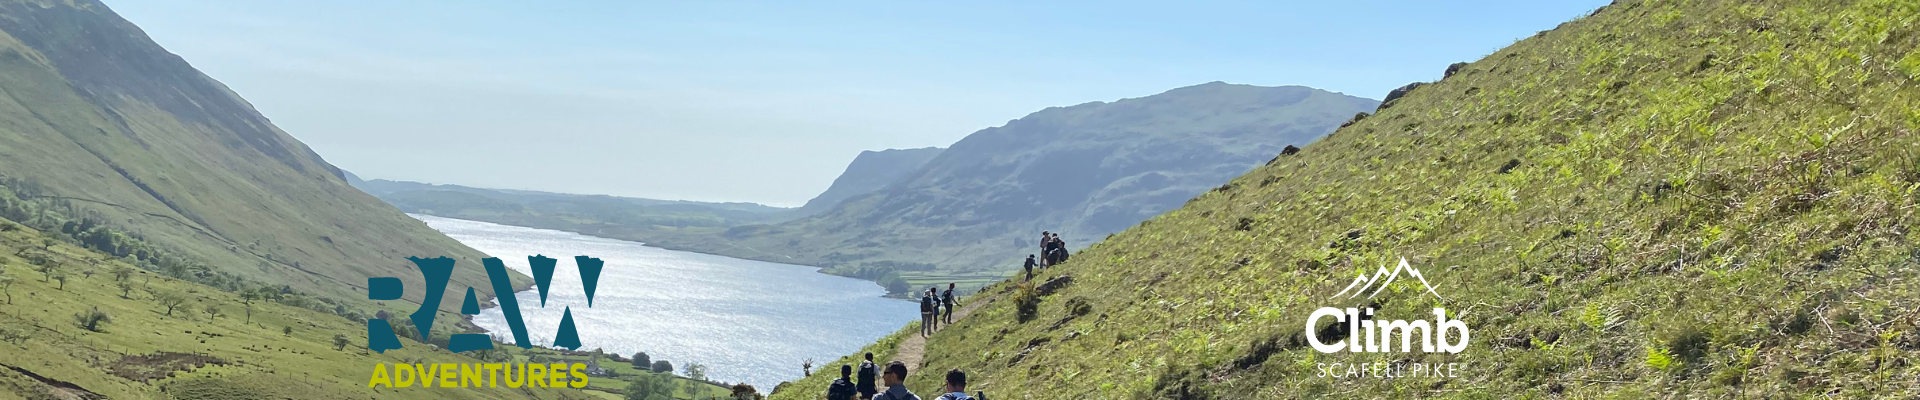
(748,322)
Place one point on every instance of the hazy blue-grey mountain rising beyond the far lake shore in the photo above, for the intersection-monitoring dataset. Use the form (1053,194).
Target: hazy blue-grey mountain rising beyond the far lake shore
(1084,172)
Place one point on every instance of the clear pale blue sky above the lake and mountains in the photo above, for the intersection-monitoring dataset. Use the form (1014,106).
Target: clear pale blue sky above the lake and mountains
(763,103)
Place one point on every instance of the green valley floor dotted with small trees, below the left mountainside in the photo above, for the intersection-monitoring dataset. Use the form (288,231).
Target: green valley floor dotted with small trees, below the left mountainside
(270,347)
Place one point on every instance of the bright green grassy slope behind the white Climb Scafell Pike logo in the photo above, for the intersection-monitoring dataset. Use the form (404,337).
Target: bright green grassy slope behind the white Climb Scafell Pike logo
(1669,199)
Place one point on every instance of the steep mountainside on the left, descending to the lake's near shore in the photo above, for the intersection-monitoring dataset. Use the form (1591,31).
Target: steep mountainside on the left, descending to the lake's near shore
(139,141)
